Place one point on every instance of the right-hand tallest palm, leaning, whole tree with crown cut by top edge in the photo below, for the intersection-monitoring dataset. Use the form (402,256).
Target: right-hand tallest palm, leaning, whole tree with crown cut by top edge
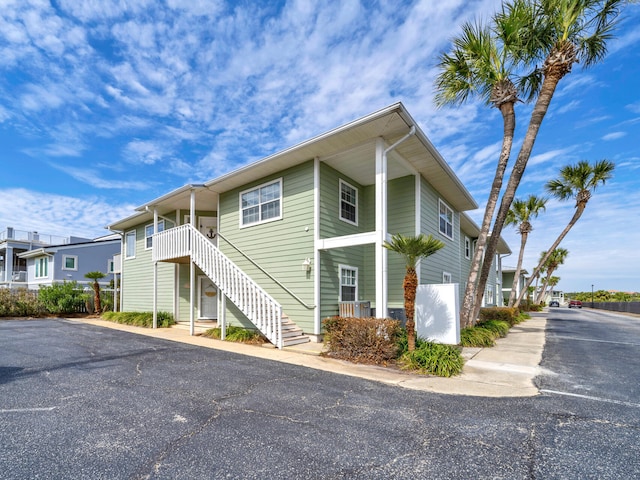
(559,33)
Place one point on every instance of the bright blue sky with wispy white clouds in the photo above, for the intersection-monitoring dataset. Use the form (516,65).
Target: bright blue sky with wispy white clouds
(106,104)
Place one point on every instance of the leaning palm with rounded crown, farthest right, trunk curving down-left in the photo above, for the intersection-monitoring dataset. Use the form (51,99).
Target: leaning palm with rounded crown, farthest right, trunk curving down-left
(576,181)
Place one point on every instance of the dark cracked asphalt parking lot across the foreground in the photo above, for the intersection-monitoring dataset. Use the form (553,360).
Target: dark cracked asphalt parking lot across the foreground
(81,401)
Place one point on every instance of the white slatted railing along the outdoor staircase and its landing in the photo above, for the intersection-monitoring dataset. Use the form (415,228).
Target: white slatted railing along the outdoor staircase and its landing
(259,307)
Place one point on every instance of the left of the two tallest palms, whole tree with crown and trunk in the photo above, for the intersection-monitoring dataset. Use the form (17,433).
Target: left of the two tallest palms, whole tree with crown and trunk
(484,63)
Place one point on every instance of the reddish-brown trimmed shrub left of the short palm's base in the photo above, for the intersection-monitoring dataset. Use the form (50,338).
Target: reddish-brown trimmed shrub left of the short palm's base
(365,340)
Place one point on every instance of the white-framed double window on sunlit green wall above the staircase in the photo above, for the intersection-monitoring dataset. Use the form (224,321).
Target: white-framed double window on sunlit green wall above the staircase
(261,204)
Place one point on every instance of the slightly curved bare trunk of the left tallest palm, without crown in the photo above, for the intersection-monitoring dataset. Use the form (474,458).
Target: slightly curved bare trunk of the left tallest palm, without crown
(470,293)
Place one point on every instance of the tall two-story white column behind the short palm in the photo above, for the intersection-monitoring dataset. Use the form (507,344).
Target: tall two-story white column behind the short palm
(381,230)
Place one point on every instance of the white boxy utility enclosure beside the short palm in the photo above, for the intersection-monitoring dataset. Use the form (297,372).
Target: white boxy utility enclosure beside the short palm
(438,312)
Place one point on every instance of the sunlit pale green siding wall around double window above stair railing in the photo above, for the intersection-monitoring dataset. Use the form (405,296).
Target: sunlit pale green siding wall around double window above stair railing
(278,246)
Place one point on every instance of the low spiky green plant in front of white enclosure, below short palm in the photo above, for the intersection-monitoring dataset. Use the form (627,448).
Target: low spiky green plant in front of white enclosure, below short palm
(433,359)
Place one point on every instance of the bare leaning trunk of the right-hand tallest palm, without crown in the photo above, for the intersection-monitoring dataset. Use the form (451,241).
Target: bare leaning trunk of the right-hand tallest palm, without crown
(539,111)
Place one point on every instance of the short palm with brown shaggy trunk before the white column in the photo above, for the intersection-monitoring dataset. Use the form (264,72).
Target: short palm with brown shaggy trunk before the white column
(412,249)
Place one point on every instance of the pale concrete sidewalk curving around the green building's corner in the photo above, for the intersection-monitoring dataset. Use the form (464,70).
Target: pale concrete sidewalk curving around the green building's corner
(506,370)
